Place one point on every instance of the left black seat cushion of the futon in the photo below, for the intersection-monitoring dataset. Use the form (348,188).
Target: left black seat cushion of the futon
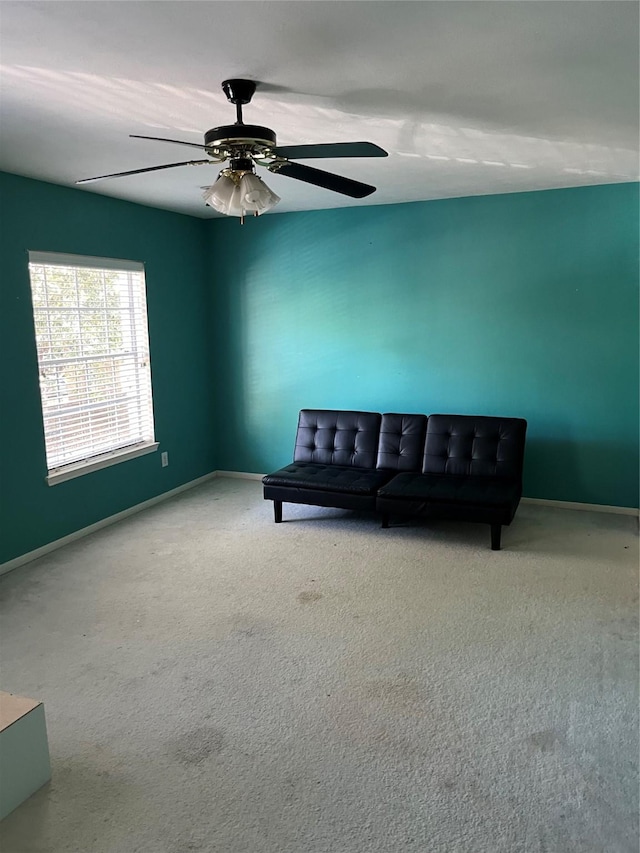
(329,478)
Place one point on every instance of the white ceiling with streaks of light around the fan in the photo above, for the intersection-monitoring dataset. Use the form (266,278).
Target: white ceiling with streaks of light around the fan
(468,97)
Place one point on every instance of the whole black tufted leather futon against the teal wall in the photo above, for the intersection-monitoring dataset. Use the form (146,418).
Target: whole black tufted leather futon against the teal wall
(453,466)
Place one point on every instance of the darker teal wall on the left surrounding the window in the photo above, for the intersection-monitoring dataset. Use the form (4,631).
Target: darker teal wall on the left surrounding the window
(45,217)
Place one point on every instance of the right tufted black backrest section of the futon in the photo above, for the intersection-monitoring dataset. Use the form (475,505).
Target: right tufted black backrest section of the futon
(477,446)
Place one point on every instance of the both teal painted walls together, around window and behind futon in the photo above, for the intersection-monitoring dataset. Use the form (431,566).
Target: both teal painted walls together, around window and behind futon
(523,304)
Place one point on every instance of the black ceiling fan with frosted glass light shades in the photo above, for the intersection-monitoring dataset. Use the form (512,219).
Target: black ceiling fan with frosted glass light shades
(238,190)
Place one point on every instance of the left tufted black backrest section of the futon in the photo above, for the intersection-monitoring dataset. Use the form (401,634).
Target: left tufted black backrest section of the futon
(337,437)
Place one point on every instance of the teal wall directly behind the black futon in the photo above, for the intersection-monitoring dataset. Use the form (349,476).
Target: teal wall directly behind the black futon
(518,305)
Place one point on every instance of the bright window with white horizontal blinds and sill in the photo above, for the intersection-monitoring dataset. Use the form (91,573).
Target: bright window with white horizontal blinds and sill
(93,357)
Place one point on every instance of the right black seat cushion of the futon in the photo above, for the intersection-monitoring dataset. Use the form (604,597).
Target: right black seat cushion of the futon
(451,489)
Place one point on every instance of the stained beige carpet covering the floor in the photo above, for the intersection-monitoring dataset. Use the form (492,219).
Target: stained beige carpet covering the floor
(215,682)
